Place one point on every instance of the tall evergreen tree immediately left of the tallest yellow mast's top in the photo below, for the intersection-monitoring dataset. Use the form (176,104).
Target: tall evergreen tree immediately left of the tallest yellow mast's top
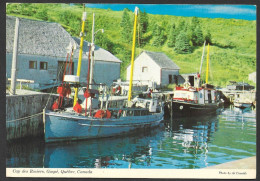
(126,26)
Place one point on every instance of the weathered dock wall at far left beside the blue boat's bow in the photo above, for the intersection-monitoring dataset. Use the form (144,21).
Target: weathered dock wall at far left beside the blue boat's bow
(24,113)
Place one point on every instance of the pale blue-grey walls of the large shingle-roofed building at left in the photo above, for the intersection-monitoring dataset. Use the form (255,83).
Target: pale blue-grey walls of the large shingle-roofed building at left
(104,72)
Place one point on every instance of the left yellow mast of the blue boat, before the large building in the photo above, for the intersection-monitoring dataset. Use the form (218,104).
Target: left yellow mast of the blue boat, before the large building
(84,17)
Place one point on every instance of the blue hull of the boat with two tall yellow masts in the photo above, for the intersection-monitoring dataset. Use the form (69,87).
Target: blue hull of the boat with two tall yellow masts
(65,127)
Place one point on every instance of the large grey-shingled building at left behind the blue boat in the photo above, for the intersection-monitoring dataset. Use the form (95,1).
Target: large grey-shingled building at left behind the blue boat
(42,54)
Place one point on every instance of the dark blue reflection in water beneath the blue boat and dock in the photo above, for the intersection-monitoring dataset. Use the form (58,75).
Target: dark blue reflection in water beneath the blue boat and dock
(121,152)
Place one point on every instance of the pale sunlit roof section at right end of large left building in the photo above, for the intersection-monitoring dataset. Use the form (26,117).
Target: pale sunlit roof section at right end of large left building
(99,53)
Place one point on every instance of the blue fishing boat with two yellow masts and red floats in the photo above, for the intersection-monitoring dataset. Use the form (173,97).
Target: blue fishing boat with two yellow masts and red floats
(103,121)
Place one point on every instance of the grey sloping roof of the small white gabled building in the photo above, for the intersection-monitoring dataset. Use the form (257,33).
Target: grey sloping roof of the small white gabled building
(162,60)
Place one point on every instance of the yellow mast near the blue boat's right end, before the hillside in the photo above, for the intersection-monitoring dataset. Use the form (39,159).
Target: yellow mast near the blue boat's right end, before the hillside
(132,58)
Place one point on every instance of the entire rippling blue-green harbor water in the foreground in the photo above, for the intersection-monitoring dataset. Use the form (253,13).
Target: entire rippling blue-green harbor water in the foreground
(183,143)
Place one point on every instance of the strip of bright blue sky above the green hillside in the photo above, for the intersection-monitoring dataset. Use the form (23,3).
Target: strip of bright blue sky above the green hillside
(246,12)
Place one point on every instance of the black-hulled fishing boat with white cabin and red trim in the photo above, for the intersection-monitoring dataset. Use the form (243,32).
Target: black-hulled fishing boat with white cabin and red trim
(193,98)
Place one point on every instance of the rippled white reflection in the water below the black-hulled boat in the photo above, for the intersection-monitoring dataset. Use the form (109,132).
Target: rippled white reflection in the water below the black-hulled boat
(190,139)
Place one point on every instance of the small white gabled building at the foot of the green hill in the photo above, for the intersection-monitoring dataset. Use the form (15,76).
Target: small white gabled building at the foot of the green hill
(154,67)
